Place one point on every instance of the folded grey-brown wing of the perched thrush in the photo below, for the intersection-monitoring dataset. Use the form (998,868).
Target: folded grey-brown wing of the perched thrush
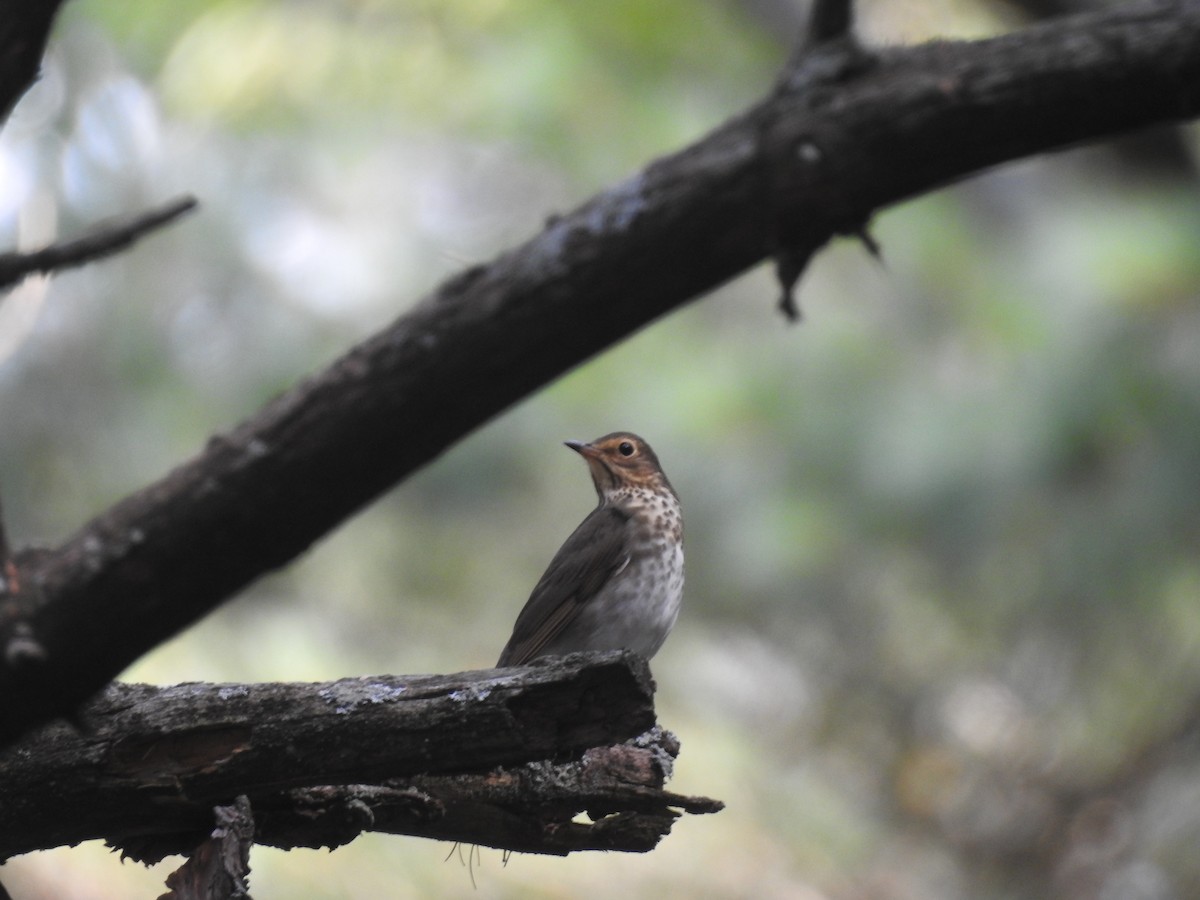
(593,554)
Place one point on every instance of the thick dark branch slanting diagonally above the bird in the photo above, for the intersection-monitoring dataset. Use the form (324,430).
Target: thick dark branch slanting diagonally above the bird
(832,146)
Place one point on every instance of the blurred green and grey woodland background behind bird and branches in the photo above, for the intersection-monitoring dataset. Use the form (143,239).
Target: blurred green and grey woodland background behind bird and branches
(941,634)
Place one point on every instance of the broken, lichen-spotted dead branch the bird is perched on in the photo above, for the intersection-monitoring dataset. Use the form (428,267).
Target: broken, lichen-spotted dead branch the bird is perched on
(501,758)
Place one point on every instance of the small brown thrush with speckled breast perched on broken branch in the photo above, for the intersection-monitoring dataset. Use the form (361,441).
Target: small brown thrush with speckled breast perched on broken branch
(619,580)
